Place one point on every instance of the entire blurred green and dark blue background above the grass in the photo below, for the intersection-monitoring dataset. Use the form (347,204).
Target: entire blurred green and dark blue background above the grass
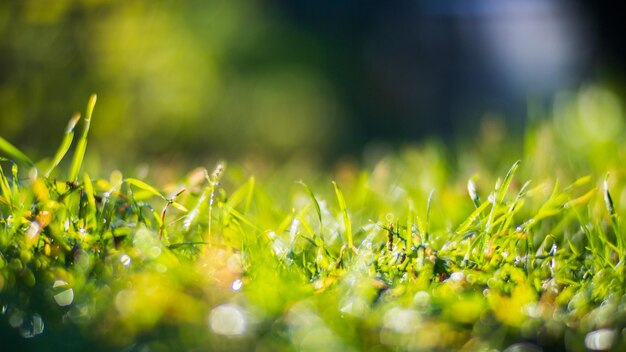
(188,82)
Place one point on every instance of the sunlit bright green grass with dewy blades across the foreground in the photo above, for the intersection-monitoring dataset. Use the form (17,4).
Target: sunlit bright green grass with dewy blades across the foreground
(404,254)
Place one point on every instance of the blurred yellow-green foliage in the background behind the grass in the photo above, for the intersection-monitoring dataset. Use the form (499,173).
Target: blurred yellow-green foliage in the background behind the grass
(195,79)
